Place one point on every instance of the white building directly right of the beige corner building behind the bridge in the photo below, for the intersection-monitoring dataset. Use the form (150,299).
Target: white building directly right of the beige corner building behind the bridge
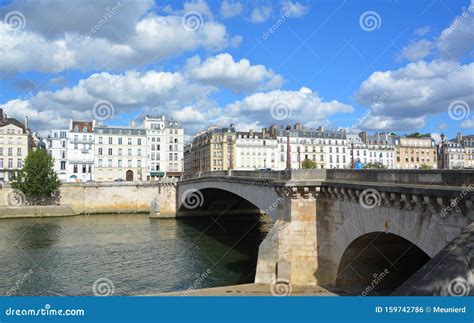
(255,150)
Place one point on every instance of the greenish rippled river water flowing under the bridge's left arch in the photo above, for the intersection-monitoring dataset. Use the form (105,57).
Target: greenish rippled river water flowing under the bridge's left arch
(134,254)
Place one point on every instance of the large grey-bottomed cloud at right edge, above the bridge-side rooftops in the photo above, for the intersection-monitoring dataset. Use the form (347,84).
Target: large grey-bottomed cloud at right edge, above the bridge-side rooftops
(406,96)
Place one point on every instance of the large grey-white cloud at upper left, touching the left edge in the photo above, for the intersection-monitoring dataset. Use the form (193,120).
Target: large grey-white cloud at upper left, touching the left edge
(152,39)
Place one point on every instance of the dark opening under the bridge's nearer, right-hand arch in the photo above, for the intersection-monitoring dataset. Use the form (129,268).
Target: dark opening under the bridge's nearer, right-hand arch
(377,263)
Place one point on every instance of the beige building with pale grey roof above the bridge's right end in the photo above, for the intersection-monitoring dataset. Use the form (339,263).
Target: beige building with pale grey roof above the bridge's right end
(415,152)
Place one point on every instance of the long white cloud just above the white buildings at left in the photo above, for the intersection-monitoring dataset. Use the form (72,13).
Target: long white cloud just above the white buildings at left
(131,92)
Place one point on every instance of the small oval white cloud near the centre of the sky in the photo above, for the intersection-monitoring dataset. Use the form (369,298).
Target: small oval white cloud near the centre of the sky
(240,76)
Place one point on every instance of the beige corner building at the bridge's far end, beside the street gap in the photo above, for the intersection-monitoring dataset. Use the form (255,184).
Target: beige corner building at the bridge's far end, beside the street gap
(213,149)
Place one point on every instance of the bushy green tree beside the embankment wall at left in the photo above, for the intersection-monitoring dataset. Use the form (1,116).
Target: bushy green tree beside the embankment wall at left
(38,180)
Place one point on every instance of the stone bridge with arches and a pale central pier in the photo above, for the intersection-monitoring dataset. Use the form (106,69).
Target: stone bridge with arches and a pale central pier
(340,228)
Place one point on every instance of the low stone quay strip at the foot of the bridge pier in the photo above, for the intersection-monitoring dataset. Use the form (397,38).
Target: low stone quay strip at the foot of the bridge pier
(278,289)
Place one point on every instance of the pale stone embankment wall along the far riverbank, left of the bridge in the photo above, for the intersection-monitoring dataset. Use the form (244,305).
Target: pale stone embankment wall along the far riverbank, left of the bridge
(110,197)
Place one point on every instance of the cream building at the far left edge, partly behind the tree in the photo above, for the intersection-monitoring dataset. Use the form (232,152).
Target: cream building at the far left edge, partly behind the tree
(15,143)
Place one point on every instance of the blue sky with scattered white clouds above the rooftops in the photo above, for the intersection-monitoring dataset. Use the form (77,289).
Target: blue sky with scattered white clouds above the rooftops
(388,65)
